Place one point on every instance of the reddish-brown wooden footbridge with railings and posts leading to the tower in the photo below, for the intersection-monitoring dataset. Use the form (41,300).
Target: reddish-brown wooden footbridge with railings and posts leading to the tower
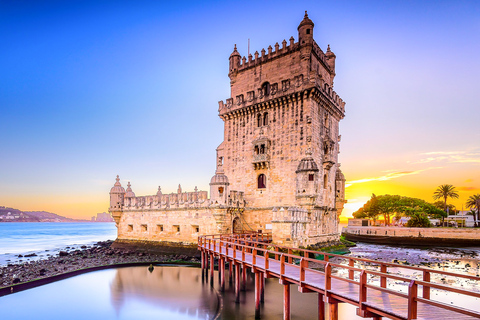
(370,290)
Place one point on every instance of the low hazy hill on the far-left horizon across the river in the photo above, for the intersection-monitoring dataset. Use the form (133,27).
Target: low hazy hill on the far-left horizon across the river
(16,215)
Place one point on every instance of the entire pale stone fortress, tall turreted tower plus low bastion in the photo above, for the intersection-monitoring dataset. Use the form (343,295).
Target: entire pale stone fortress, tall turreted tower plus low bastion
(277,168)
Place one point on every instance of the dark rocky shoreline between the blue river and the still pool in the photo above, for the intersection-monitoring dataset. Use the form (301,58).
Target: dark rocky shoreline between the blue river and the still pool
(99,254)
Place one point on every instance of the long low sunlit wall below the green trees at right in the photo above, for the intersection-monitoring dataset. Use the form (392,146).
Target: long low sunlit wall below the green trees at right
(414,236)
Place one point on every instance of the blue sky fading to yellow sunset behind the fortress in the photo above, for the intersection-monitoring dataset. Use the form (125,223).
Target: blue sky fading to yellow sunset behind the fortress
(92,89)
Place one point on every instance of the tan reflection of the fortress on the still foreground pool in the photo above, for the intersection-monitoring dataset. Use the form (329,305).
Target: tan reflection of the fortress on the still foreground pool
(178,291)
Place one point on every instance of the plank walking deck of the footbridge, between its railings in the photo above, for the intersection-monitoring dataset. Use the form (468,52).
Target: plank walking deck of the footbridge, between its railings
(378,302)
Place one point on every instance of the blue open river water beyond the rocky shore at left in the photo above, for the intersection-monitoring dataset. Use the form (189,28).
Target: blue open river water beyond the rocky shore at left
(44,238)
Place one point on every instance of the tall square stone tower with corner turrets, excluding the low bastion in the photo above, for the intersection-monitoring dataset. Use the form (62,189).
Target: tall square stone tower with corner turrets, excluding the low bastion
(281,139)
